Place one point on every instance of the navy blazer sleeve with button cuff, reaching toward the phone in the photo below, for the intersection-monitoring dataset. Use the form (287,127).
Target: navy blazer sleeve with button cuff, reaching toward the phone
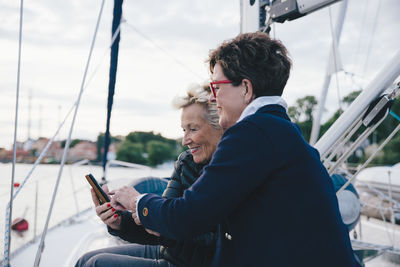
(240,164)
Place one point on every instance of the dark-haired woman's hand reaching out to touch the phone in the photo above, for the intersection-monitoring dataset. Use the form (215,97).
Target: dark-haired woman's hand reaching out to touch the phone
(125,198)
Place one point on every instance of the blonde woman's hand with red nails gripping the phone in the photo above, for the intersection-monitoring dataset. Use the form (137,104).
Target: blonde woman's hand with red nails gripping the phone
(105,212)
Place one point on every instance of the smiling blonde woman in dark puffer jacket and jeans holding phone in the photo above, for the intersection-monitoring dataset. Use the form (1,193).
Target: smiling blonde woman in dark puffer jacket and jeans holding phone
(202,133)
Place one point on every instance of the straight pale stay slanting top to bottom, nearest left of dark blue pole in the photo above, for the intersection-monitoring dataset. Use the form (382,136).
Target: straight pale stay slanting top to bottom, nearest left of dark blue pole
(41,245)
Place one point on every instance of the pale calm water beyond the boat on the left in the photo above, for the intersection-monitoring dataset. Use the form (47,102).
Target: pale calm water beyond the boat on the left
(42,183)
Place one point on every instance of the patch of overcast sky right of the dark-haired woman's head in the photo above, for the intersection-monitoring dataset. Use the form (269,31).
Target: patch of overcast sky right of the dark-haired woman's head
(309,38)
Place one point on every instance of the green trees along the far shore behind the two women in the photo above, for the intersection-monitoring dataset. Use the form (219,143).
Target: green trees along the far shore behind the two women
(152,149)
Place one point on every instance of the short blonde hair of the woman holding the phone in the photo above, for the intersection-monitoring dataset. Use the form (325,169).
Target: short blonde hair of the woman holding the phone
(197,94)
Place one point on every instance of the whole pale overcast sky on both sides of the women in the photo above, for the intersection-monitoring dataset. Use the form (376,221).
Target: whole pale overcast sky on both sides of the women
(162,51)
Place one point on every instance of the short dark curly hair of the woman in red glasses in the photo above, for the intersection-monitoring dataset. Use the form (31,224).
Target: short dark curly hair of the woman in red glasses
(256,57)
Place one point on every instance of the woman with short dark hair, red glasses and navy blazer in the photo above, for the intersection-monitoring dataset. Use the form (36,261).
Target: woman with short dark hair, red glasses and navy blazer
(265,185)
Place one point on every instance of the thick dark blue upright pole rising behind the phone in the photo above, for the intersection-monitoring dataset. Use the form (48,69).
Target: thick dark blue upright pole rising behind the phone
(113,73)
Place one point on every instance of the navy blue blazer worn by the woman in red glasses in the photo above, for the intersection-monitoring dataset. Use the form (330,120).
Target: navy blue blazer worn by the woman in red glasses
(269,193)
